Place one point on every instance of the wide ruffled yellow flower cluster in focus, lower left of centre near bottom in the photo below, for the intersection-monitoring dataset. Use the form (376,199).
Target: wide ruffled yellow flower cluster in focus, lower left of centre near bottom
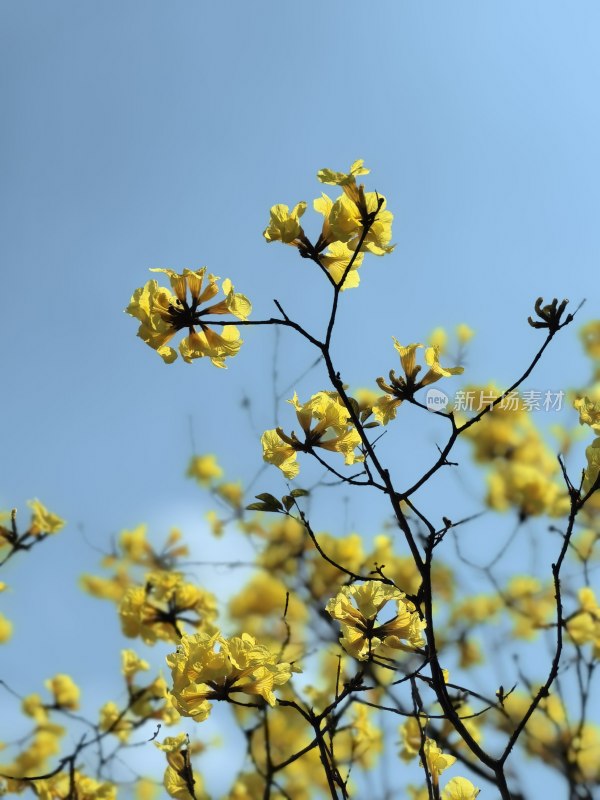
(201,672)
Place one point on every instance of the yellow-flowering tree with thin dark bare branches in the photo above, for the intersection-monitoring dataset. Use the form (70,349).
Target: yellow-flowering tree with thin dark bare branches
(339,654)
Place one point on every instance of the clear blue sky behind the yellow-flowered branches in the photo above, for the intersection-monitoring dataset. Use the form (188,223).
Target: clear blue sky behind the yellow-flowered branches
(148,134)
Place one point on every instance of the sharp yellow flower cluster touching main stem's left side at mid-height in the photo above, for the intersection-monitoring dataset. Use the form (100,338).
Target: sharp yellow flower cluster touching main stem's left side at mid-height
(333,431)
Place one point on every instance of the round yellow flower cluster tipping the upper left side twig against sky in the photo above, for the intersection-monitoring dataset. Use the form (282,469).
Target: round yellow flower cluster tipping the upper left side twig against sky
(162,314)
